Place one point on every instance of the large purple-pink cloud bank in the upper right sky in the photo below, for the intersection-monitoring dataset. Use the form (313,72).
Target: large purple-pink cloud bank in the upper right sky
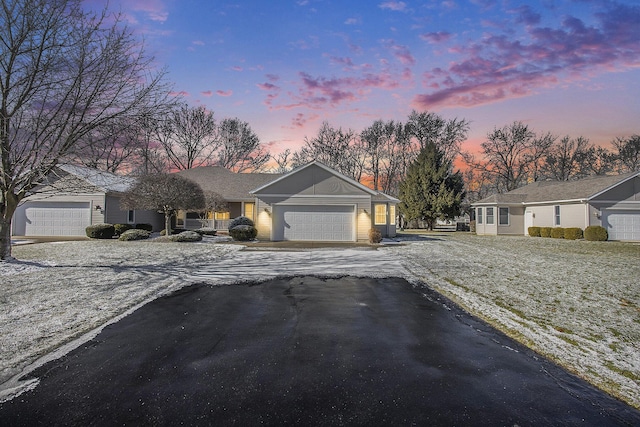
(500,66)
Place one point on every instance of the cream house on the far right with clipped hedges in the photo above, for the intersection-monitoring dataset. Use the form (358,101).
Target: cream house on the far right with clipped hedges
(610,201)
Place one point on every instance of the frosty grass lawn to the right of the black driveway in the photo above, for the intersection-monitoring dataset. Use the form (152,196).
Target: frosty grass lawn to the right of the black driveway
(577,302)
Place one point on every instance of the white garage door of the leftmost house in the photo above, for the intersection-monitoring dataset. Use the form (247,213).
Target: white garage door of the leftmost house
(52,219)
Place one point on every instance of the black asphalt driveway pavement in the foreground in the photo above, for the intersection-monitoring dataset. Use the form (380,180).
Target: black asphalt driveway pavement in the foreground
(307,351)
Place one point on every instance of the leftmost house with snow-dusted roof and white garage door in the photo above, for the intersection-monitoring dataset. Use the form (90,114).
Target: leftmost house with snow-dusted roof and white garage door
(74,197)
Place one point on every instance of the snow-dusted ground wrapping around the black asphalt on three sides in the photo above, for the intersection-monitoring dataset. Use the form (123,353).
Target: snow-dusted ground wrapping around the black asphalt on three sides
(577,302)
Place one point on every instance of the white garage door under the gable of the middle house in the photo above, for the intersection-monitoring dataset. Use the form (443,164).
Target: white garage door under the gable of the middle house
(314,223)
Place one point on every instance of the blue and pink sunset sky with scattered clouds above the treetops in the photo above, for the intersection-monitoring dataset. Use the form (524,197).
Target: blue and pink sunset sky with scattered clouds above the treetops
(569,67)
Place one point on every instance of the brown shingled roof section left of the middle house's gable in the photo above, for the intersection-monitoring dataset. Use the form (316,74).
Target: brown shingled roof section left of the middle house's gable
(230,185)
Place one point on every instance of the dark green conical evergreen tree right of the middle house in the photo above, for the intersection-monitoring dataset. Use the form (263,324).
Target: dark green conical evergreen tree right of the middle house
(430,189)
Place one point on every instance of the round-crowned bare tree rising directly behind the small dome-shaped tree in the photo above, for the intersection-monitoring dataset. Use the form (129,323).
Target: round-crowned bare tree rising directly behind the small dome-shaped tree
(189,136)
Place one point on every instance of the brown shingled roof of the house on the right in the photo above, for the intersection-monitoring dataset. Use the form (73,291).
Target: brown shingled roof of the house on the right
(559,191)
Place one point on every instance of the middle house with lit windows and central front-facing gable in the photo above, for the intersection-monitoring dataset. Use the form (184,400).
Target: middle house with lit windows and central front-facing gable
(310,203)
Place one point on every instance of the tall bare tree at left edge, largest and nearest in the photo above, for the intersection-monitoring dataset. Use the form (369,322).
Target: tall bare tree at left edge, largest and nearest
(64,74)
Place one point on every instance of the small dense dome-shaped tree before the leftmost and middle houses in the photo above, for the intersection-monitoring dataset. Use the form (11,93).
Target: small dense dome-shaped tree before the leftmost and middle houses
(166,193)
